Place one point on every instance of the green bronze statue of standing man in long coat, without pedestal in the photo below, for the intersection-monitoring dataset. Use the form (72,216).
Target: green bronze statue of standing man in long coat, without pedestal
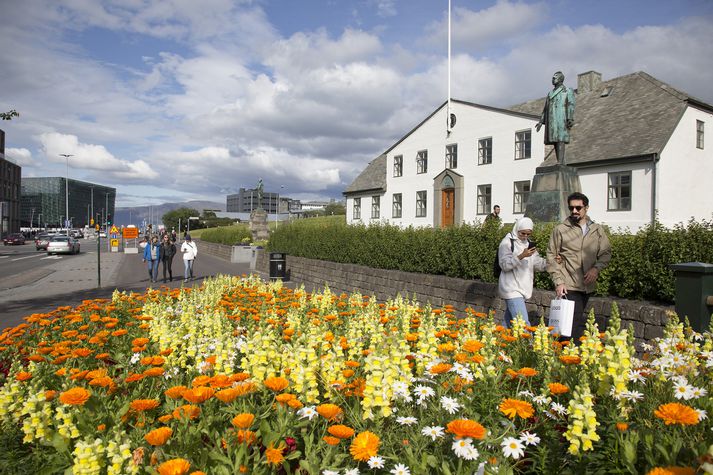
(558,116)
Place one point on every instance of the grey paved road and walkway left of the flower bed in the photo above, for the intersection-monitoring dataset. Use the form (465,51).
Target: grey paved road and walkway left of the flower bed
(74,279)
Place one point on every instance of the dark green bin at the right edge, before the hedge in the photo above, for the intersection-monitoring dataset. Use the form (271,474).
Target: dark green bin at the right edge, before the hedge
(694,293)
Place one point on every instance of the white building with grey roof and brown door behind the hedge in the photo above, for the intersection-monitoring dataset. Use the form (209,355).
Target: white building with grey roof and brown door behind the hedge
(638,145)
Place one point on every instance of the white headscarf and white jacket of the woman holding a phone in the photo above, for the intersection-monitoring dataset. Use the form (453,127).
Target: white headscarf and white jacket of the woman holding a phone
(517,276)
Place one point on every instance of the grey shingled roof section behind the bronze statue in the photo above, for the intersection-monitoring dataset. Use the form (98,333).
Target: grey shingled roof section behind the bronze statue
(635,119)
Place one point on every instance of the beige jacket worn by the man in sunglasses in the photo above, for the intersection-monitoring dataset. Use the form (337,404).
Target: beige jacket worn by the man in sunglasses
(579,254)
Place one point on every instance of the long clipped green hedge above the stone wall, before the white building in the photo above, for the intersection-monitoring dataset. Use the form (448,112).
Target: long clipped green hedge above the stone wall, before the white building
(639,268)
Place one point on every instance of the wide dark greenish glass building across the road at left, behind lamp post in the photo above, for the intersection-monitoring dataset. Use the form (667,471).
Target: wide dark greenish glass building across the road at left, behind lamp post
(42,202)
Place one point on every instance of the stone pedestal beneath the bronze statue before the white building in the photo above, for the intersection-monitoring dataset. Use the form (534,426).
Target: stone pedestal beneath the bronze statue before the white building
(551,185)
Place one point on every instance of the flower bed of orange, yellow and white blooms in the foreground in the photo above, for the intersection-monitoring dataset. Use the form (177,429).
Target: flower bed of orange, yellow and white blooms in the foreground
(240,376)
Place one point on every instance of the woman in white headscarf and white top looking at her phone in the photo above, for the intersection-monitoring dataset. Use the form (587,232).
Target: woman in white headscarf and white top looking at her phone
(518,260)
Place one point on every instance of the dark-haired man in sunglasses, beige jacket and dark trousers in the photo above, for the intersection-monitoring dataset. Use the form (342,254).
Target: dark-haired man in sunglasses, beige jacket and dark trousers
(577,252)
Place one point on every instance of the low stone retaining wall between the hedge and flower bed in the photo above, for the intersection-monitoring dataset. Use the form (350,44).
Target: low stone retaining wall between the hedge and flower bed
(648,320)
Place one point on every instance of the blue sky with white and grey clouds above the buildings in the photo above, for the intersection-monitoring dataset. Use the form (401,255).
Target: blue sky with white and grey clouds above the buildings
(175,100)
